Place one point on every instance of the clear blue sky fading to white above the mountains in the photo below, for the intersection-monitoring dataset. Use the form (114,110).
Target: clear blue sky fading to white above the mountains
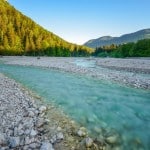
(80,20)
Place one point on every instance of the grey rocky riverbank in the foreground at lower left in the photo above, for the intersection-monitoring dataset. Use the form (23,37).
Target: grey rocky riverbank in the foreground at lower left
(27,123)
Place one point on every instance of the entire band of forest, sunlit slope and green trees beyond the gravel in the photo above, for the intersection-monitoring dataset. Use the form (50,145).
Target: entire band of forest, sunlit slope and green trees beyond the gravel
(20,35)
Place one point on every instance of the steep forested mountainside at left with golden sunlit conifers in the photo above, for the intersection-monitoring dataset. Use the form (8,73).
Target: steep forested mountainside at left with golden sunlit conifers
(20,35)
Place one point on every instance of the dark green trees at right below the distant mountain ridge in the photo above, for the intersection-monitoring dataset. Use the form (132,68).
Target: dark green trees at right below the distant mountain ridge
(139,49)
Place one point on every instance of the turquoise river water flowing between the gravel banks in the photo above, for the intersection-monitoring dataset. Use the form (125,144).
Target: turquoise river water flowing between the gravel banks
(93,103)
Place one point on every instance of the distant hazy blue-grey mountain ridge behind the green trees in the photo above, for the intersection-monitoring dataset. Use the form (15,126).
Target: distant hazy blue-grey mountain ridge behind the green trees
(108,40)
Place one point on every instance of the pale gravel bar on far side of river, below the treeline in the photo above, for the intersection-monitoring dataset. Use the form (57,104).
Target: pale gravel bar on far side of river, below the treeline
(132,72)
